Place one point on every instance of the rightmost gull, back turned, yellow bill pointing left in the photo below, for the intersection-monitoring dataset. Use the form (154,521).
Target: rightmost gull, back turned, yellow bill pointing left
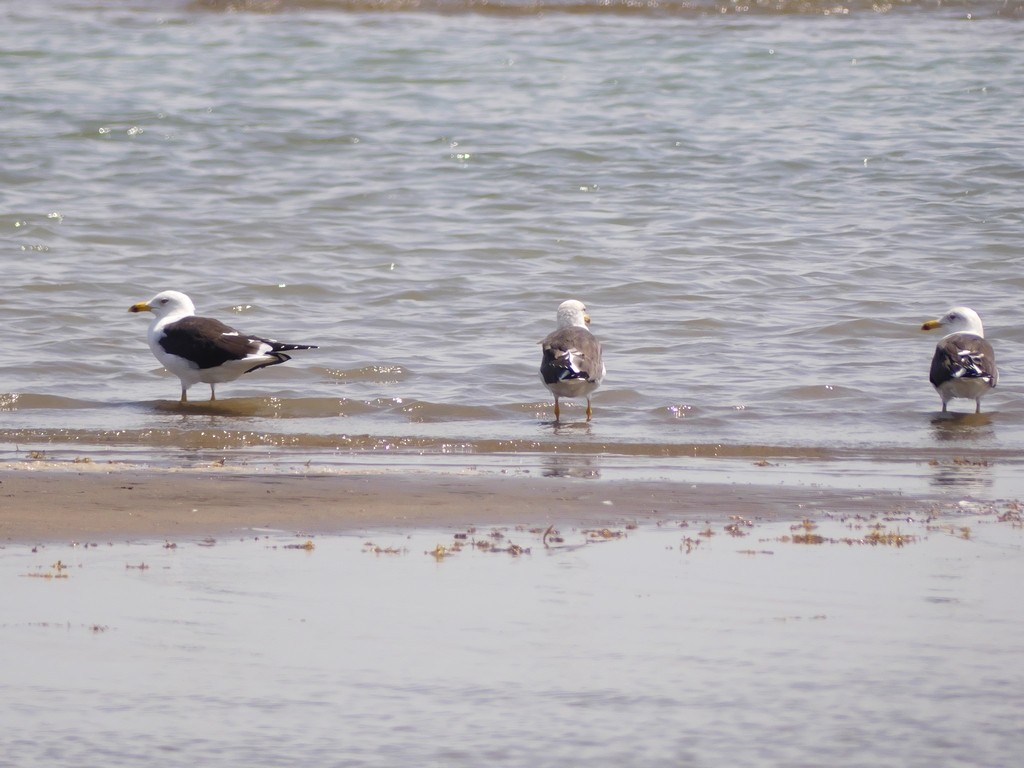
(964,365)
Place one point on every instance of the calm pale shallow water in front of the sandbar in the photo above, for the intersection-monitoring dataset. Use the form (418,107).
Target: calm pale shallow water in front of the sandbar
(650,647)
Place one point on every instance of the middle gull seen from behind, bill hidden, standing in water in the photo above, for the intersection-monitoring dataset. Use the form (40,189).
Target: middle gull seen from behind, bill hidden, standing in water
(572,366)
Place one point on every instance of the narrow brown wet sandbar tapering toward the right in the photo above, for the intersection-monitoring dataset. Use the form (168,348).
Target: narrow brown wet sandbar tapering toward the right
(54,505)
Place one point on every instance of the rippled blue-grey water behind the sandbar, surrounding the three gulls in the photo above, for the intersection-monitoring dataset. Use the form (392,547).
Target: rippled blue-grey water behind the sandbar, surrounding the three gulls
(759,207)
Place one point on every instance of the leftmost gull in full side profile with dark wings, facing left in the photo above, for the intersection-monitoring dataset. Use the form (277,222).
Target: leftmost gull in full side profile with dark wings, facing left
(204,350)
